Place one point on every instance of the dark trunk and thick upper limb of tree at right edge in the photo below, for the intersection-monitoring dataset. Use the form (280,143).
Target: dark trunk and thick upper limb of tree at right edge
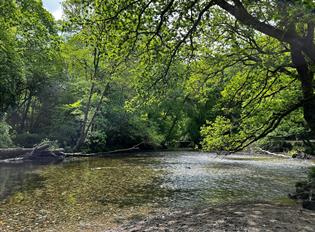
(297,32)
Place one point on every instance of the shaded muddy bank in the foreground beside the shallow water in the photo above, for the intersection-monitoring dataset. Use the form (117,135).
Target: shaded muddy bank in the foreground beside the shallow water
(233,217)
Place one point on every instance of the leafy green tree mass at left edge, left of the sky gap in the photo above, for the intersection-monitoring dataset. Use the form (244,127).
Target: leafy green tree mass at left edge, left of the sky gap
(31,73)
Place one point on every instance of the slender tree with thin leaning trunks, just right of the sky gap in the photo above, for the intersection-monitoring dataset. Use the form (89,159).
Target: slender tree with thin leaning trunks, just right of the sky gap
(94,39)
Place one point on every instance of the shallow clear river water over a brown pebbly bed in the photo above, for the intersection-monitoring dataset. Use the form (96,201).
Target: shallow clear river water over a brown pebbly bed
(110,191)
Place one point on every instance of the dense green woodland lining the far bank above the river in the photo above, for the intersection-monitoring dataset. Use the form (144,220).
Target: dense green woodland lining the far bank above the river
(217,75)
